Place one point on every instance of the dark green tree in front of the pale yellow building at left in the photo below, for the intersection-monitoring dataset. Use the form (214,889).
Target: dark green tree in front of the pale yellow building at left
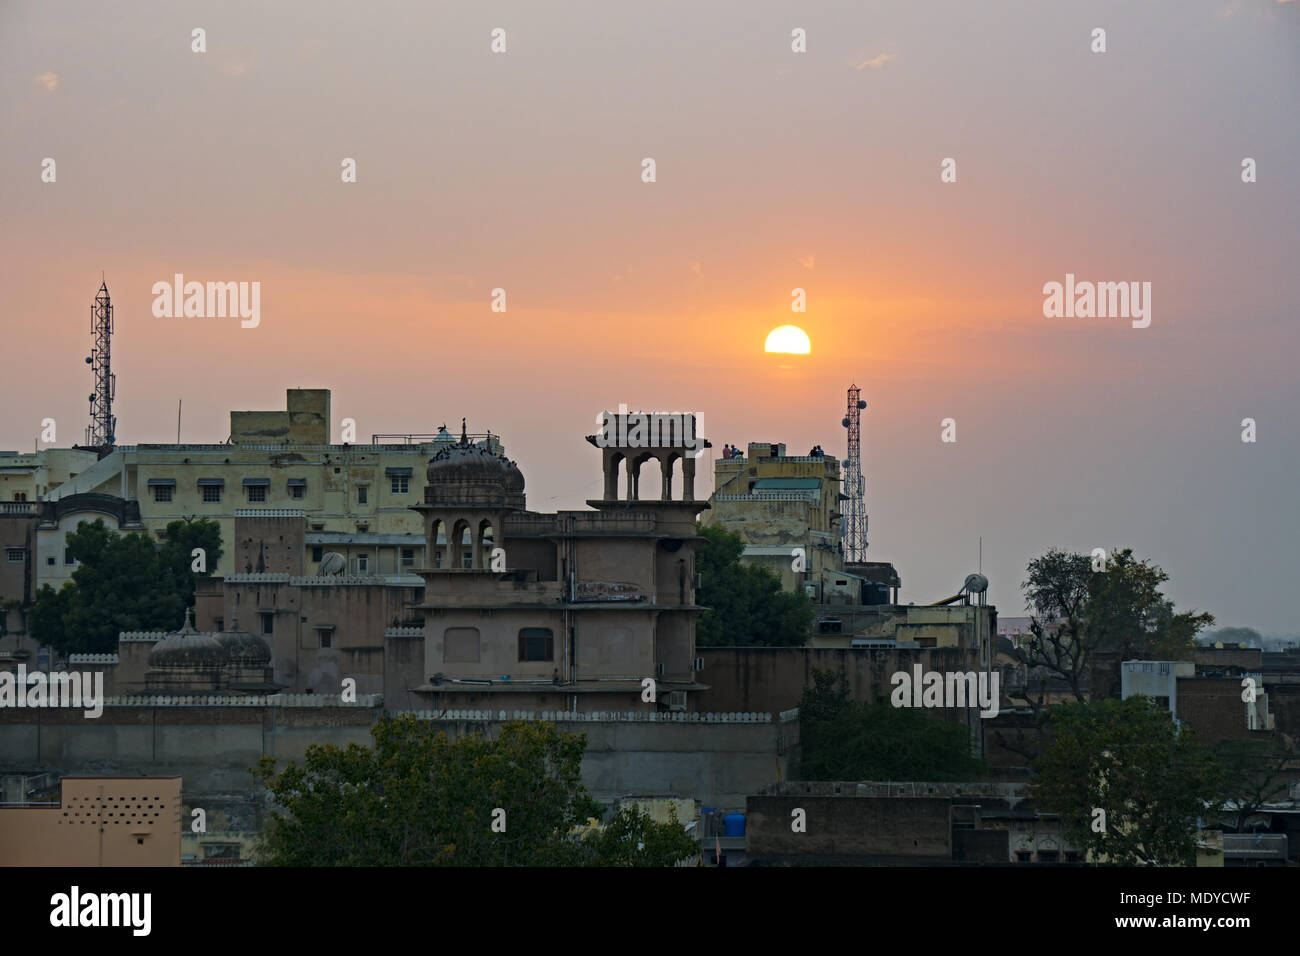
(123,583)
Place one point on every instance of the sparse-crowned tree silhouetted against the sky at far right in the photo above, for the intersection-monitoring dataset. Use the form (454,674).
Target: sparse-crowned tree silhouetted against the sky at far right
(1120,611)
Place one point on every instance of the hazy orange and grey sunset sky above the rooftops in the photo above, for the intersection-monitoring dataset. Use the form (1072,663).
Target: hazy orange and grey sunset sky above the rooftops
(774,171)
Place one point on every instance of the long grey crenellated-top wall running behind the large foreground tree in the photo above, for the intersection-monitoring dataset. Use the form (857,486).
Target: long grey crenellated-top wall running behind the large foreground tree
(211,750)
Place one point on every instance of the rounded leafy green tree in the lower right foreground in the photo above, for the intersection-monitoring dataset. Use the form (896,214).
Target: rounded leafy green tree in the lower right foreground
(1145,773)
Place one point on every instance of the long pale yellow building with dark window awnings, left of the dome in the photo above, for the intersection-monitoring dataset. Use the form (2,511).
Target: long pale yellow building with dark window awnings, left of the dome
(357,499)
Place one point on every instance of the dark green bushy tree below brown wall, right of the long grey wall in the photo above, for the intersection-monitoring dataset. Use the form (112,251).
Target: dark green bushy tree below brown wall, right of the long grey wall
(859,741)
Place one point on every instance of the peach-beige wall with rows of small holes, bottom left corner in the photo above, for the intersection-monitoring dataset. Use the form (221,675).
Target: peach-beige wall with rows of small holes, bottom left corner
(101,821)
